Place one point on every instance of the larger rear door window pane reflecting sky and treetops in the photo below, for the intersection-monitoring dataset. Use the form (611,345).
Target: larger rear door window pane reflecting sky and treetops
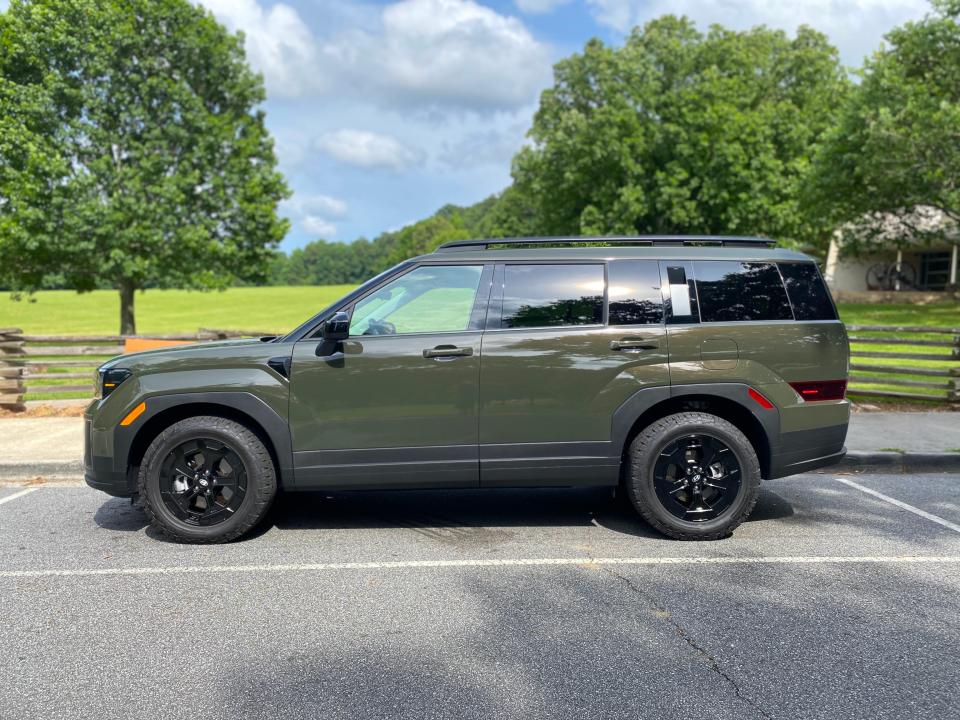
(552,295)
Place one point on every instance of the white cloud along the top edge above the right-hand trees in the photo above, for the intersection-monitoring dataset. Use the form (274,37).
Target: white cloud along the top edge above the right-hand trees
(854,26)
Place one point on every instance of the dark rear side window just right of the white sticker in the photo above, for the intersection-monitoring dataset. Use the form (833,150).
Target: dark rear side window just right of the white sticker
(732,291)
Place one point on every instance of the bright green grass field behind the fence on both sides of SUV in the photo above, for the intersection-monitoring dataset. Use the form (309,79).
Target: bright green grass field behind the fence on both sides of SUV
(278,309)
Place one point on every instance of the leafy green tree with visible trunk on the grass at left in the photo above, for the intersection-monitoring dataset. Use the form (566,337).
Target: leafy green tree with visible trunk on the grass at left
(133,149)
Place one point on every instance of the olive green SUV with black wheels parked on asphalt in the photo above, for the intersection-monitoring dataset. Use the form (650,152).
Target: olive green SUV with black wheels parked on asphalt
(679,369)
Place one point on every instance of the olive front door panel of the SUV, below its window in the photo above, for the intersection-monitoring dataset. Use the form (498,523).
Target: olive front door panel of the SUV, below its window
(381,413)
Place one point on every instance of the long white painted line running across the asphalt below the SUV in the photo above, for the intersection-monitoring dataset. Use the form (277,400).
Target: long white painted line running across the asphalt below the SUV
(484,563)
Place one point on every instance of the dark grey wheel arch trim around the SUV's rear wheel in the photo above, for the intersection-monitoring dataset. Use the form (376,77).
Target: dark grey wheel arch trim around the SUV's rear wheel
(729,401)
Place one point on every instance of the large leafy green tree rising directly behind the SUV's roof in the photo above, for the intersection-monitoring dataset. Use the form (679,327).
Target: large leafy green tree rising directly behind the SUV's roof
(679,132)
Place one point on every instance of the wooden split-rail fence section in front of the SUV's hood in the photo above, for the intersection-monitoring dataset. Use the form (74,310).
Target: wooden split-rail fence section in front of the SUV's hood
(39,365)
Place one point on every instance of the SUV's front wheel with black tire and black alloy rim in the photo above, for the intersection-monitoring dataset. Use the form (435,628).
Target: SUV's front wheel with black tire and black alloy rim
(206,479)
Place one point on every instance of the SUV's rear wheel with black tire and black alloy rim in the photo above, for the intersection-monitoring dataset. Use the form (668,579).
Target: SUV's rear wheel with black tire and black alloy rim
(693,476)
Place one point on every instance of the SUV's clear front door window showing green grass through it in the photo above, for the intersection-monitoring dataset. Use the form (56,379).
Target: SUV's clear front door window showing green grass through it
(427,299)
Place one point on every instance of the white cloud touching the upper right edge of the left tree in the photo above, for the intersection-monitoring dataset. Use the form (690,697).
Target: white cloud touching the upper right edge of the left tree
(278,42)
